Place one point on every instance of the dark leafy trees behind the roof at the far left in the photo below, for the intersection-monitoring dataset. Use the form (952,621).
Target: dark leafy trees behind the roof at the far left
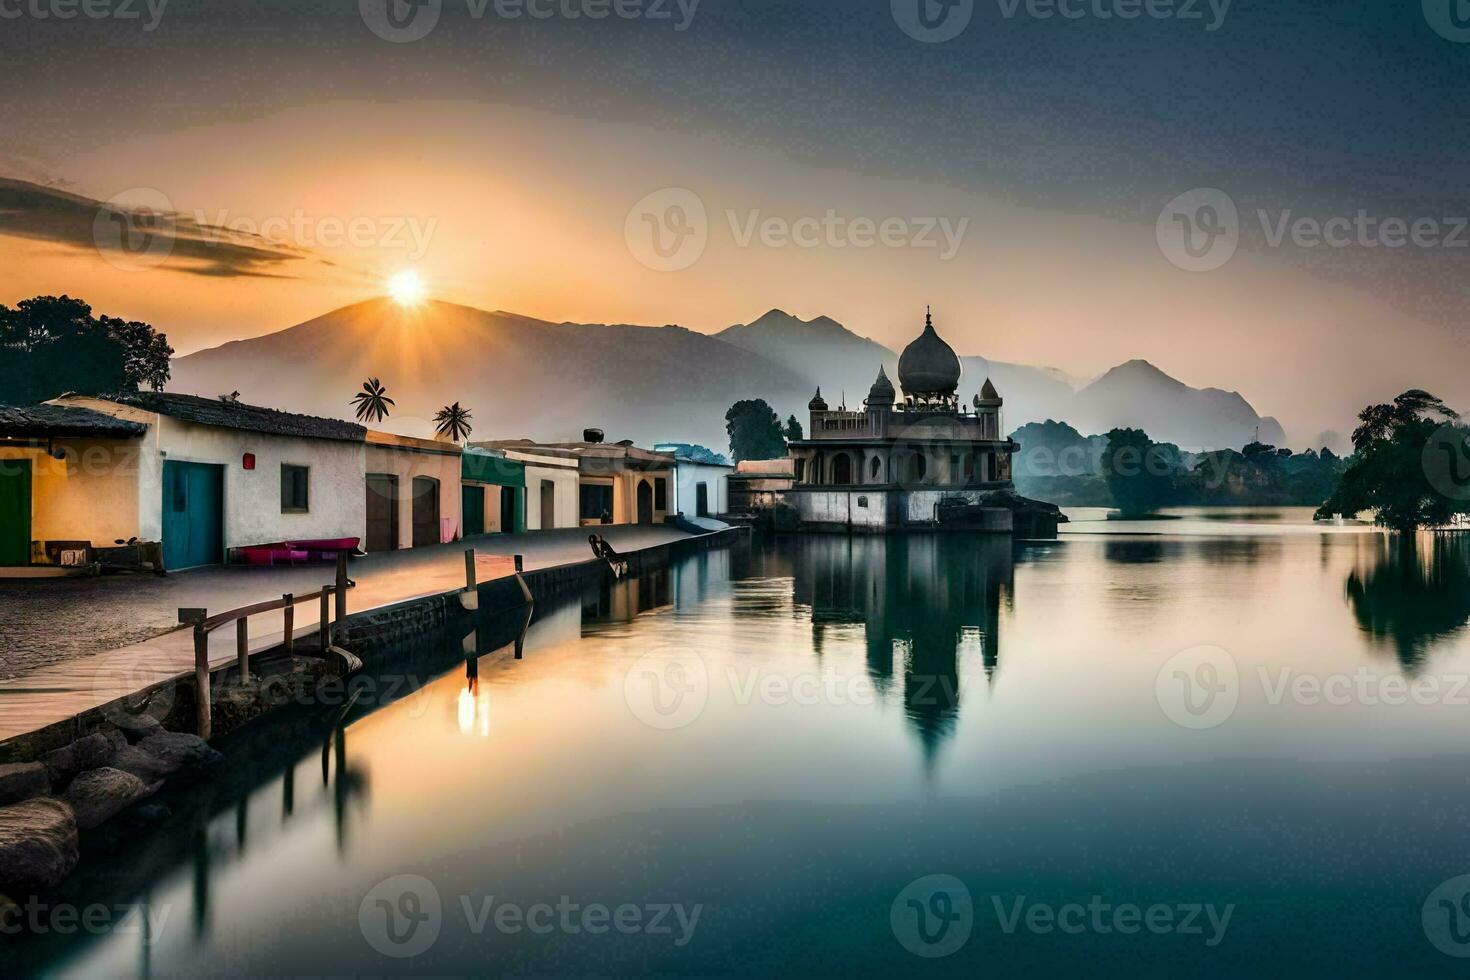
(51,346)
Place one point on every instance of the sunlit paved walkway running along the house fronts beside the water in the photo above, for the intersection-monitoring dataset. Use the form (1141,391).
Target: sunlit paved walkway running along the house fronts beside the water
(85,681)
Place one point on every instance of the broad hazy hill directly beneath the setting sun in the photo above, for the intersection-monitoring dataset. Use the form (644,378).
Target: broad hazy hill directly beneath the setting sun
(520,377)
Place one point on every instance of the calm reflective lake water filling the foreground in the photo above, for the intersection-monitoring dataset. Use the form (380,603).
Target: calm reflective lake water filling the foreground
(1227,744)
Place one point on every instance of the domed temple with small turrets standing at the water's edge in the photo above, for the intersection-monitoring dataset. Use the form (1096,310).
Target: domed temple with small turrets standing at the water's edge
(922,462)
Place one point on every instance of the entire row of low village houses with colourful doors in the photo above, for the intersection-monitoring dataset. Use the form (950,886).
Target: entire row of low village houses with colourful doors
(215,481)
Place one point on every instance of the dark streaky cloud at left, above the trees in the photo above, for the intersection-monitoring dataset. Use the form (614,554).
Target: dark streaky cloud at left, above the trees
(165,237)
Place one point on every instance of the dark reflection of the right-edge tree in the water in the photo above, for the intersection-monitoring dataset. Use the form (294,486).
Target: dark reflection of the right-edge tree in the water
(1413,593)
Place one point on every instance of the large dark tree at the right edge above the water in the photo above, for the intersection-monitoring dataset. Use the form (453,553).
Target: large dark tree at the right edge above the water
(1408,465)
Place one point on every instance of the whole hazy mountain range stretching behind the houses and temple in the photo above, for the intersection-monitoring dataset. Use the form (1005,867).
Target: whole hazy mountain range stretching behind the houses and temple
(528,378)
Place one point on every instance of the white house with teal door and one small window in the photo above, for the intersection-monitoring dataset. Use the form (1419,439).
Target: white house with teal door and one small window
(211,475)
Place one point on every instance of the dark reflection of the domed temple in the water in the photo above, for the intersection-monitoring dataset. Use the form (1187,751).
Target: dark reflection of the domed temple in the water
(927,603)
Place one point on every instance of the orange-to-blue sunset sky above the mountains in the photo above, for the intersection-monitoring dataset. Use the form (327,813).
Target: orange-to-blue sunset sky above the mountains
(501,159)
